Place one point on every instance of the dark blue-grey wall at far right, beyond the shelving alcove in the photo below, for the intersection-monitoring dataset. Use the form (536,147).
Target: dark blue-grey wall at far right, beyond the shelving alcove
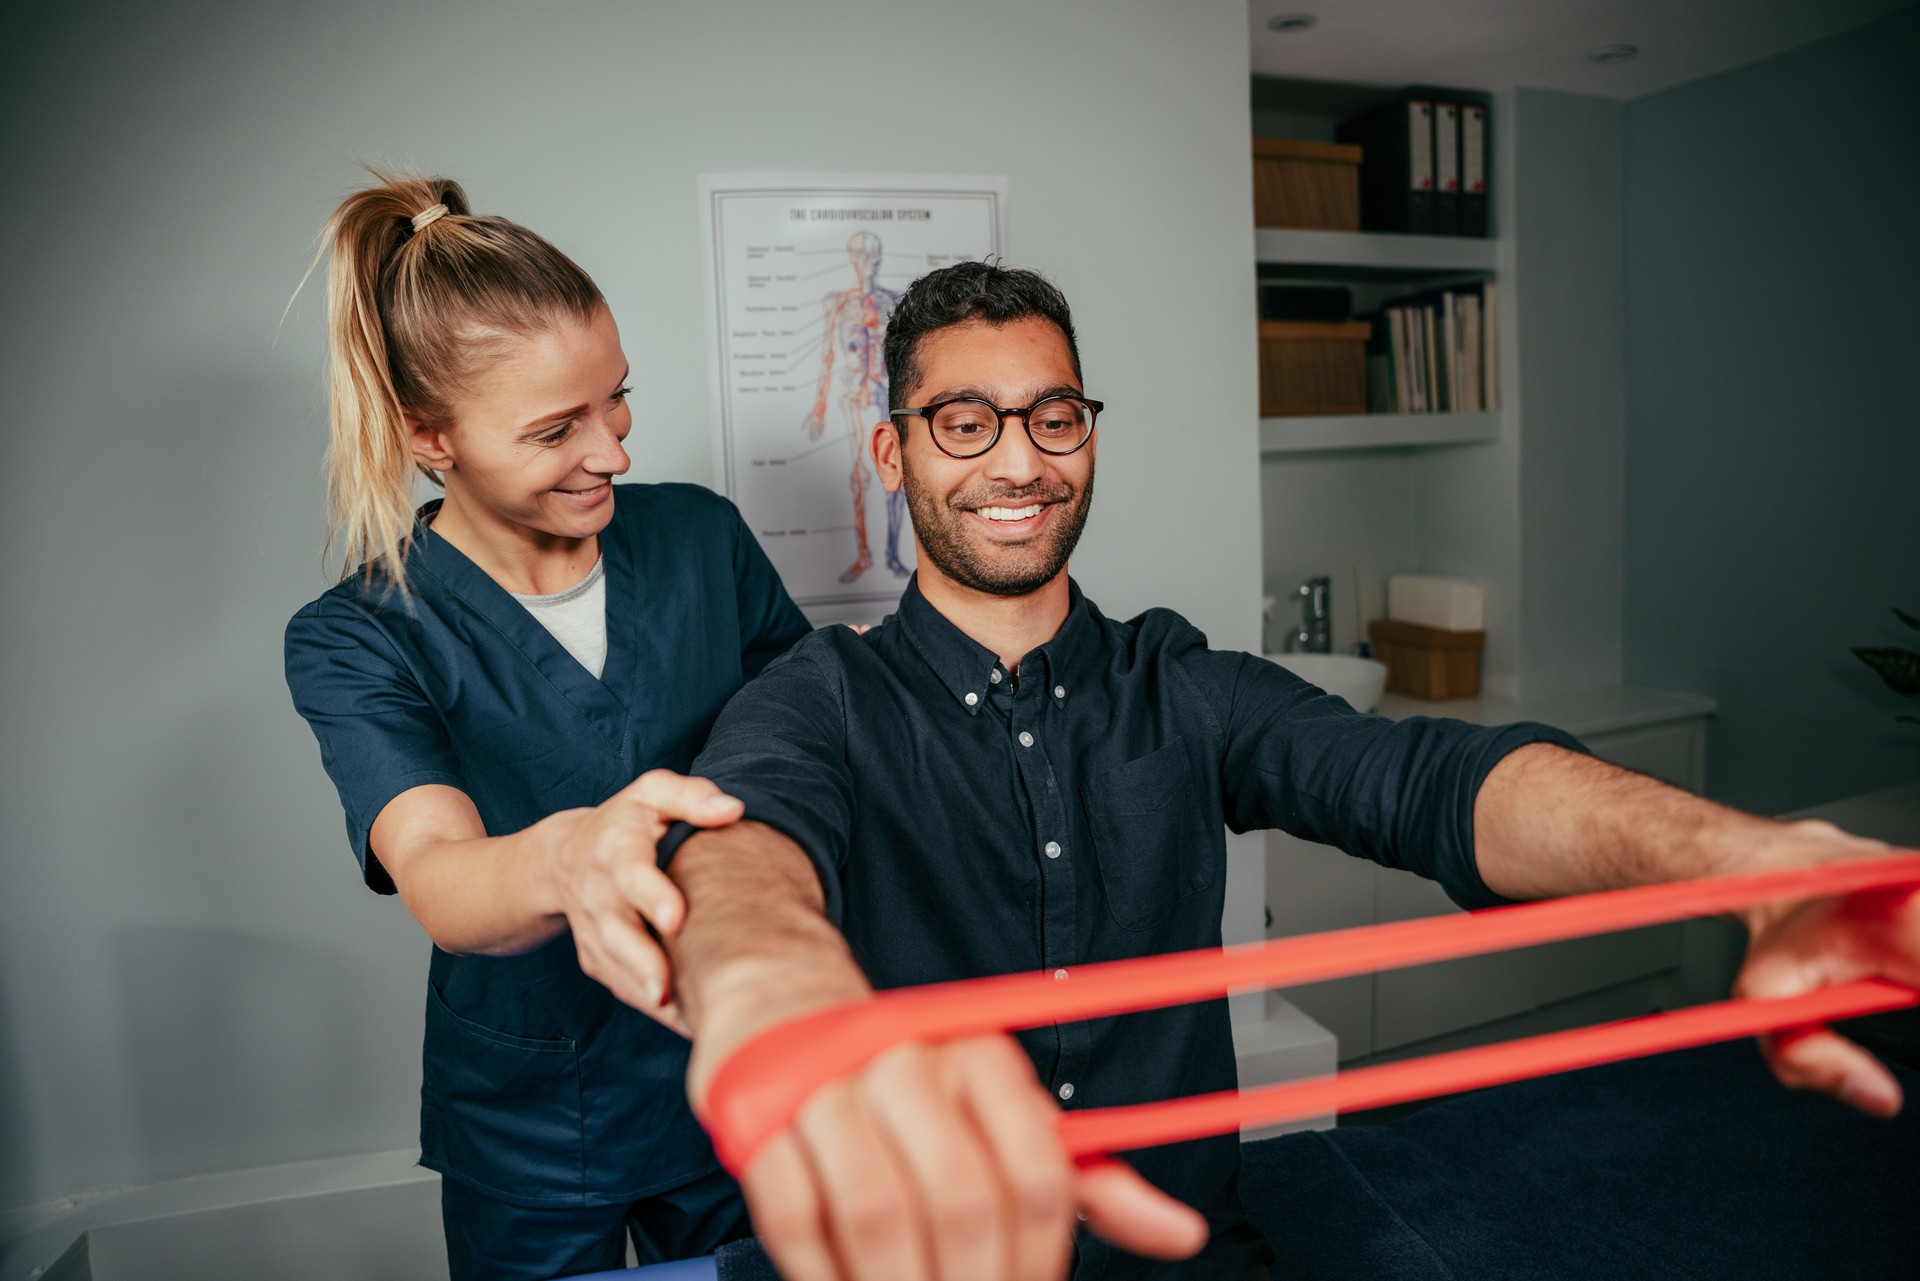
(1773,452)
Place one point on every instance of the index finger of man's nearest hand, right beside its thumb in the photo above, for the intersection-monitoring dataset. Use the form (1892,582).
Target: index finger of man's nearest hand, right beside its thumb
(1019,1121)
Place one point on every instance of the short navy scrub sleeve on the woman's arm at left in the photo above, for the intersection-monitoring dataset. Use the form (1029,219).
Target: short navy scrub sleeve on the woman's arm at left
(377,731)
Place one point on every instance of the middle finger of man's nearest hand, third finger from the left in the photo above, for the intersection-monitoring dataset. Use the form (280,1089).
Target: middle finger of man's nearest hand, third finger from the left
(949,1167)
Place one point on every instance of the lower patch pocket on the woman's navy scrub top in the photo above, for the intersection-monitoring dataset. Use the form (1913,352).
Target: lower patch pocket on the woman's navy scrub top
(496,1105)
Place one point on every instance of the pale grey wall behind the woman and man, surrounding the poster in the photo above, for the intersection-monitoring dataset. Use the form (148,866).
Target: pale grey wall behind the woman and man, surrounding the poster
(191,977)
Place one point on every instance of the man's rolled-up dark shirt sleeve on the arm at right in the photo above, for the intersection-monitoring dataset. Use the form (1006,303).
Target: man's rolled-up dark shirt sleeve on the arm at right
(1399,794)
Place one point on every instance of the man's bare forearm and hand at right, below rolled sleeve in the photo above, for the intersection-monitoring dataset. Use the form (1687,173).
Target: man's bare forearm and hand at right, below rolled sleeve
(1554,823)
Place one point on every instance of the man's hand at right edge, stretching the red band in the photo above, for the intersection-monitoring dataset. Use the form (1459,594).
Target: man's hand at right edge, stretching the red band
(1802,948)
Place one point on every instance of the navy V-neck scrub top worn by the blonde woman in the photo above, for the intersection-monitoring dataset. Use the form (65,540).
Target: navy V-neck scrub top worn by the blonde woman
(540,1088)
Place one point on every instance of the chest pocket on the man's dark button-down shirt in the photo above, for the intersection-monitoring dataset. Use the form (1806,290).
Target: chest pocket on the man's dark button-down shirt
(1149,836)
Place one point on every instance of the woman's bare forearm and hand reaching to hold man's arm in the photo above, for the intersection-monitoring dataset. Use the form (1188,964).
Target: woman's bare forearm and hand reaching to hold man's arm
(590,871)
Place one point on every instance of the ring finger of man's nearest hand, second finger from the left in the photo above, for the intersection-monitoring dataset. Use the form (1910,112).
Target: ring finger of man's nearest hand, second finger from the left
(871,1205)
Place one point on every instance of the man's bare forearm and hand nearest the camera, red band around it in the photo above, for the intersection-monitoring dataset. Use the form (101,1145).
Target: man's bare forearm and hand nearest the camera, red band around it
(930,1163)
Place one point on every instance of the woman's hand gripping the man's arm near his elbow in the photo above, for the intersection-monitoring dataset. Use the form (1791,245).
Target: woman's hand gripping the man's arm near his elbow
(604,873)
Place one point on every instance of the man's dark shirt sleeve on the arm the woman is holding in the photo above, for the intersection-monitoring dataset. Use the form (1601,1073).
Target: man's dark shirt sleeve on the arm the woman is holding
(780,746)
